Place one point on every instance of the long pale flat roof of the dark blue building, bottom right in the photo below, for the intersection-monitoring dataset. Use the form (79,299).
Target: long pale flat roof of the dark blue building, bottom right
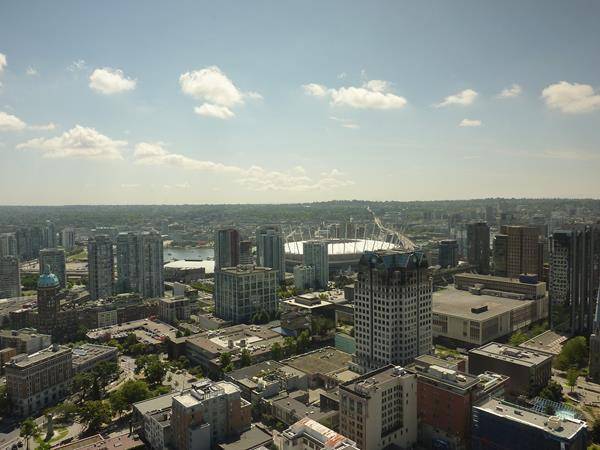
(568,427)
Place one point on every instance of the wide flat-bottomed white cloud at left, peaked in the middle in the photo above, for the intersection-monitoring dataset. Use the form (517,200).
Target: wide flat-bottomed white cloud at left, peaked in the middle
(79,142)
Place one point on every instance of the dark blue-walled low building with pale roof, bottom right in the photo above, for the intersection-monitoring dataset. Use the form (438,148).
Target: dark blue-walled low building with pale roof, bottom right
(498,424)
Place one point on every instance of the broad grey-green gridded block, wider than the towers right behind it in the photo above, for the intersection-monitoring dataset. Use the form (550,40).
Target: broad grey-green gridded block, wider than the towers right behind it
(243,291)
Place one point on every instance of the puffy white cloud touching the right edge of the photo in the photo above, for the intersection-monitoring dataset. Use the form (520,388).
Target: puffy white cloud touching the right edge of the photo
(571,98)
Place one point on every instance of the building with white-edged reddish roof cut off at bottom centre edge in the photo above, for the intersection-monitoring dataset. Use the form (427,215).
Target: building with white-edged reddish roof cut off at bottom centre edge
(307,434)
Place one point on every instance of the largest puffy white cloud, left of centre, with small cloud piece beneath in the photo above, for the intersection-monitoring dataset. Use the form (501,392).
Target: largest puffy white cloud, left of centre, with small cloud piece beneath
(216,90)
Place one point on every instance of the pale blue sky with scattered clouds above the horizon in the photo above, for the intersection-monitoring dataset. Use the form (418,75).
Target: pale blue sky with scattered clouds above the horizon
(282,101)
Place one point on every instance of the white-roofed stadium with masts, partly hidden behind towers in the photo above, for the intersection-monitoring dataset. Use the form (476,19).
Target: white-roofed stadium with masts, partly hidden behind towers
(344,253)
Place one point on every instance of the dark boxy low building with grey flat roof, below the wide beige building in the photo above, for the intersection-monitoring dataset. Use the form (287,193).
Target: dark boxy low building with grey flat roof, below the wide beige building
(528,370)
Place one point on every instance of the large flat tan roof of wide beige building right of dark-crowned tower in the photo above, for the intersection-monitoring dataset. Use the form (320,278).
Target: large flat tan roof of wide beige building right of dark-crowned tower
(457,303)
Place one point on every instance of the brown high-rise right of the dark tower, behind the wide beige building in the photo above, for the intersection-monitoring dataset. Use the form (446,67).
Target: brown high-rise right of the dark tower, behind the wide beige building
(524,250)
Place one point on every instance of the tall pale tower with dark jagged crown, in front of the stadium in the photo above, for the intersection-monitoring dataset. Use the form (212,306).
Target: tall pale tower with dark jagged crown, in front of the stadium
(392,308)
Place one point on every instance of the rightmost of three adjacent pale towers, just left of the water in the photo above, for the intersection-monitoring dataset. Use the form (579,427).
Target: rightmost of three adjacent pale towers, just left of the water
(151,265)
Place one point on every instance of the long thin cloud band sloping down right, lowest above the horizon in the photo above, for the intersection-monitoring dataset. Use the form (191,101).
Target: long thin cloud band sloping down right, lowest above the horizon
(253,178)
